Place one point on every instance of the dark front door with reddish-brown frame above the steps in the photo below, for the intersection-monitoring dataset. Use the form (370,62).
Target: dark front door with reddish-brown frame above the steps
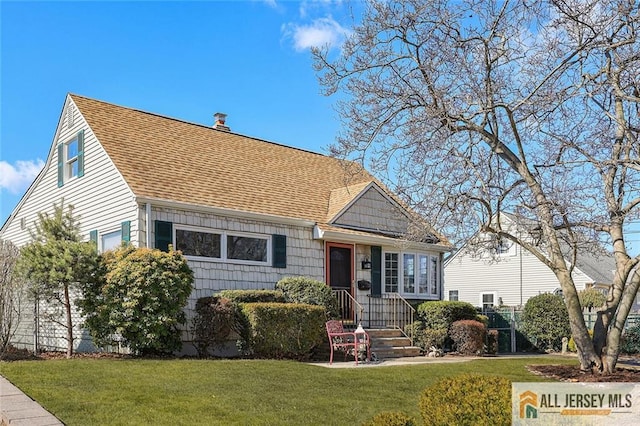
(340,274)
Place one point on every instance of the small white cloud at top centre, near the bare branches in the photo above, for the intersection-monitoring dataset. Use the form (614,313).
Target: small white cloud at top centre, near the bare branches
(321,32)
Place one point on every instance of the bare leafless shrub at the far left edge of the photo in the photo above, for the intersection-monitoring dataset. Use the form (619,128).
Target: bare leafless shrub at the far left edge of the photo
(11,290)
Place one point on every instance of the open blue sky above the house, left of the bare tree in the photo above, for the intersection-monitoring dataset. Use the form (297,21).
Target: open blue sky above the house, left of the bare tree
(188,60)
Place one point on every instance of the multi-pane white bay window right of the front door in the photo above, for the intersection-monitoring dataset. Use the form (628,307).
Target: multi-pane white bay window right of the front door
(418,273)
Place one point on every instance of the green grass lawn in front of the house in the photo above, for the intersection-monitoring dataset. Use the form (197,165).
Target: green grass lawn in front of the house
(243,392)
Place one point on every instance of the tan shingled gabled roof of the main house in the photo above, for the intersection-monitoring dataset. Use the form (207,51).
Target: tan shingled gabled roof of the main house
(163,158)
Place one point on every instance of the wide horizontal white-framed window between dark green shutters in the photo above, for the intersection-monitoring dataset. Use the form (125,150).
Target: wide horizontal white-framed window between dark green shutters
(222,245)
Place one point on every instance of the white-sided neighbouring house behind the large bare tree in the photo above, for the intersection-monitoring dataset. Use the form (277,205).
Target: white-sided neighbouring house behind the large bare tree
(504,273)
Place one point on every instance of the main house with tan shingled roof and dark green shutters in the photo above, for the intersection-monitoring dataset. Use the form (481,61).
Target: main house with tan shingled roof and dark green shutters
(245,212)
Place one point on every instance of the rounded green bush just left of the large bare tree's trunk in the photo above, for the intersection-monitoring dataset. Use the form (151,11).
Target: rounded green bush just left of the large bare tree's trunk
(545,320)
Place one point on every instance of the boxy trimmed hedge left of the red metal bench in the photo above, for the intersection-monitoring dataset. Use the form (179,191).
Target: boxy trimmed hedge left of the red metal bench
(282,330)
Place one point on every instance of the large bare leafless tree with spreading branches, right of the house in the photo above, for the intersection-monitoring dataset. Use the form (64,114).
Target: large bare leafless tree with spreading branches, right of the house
(478,107)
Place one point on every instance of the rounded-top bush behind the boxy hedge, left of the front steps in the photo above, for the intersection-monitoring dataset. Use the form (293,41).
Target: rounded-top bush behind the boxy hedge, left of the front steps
(309,291)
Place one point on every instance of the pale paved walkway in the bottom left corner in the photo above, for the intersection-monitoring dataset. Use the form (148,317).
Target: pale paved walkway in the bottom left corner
(17,409)
